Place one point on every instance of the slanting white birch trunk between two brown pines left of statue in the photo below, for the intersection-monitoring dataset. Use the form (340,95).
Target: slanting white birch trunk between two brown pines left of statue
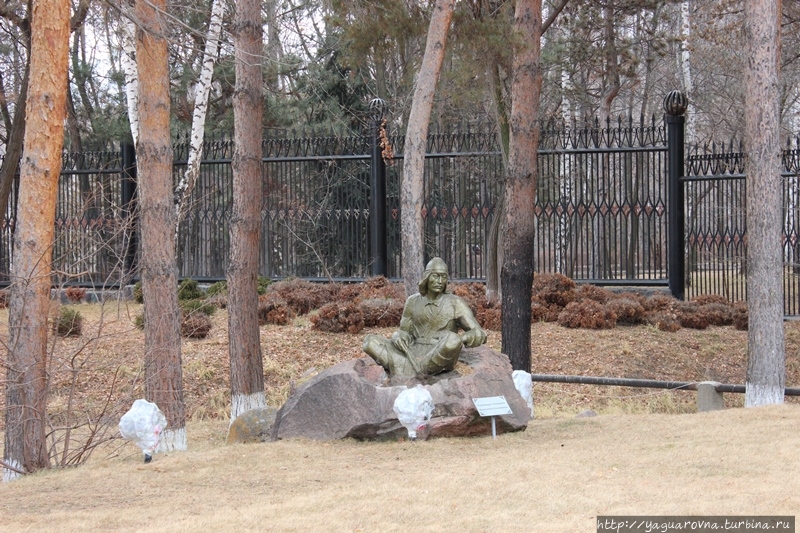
(202,90)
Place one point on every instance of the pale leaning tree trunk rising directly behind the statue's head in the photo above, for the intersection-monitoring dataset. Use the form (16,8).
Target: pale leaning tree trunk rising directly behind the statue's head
(412,188)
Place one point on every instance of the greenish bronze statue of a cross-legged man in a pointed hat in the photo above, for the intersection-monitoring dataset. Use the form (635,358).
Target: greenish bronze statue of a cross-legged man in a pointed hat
(428,341)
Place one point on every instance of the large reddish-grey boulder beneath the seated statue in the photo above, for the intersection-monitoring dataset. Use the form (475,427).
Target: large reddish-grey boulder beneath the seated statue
(355,399)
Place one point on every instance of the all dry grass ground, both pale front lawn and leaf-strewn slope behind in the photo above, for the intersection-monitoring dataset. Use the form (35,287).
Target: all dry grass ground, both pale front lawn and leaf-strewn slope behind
(644,454)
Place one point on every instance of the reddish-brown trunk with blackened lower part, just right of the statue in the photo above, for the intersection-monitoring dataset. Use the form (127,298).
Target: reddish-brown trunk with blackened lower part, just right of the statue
(520,191)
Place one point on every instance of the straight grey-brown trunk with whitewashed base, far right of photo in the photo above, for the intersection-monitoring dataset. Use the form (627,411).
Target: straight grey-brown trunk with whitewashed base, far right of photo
(766,351)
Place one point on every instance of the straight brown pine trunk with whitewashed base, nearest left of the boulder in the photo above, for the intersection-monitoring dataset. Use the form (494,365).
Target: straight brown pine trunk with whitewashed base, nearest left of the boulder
(247,374)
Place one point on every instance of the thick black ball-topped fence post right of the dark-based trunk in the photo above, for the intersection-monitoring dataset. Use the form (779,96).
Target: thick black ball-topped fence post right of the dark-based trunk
(675,104)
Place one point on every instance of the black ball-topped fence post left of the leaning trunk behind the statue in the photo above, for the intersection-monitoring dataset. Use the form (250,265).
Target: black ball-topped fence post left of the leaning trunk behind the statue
(377,196)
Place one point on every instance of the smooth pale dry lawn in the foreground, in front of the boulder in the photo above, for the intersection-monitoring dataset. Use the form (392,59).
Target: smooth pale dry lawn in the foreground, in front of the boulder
(555,477)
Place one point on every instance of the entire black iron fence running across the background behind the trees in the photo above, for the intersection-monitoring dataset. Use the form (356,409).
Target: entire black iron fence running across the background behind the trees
(601,212)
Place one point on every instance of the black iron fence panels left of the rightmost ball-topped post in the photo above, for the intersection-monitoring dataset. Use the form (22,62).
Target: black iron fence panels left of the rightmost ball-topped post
(600,209)
